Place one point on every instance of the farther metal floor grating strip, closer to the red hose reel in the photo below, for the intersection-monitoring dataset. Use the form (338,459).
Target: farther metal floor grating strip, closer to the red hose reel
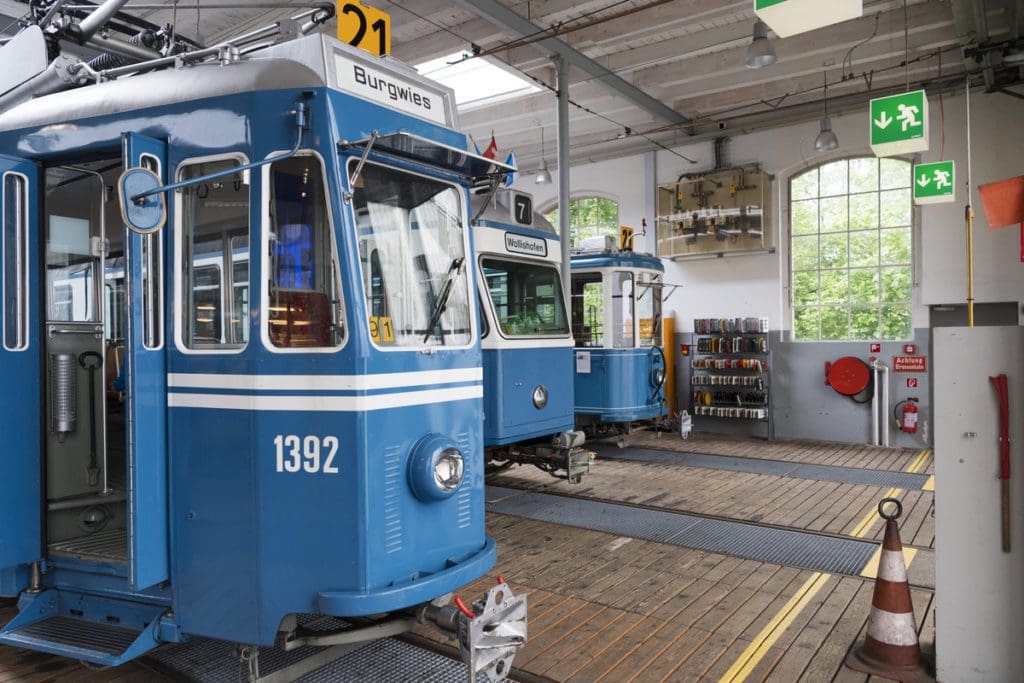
(855,476)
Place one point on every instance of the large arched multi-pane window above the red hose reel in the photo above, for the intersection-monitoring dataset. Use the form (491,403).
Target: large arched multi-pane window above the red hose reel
(851,250)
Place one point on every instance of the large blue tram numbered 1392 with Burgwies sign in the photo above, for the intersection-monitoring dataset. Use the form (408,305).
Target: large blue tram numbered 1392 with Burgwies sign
(265,401)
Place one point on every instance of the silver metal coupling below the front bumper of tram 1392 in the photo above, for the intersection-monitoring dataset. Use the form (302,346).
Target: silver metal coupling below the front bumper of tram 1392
(491,630)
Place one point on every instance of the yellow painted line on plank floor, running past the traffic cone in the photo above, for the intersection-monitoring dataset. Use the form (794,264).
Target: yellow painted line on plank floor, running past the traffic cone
(750,659)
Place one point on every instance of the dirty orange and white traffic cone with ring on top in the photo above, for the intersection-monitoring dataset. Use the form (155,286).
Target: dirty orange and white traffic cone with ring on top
(891,649)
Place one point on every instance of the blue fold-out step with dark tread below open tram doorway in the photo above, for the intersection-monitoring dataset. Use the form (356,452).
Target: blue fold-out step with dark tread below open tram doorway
(96,630)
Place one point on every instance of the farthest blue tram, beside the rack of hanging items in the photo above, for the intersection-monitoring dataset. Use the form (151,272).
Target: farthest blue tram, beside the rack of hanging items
(617,324)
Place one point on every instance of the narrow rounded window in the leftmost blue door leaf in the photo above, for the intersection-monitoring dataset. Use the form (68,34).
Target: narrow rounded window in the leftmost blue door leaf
(16,263)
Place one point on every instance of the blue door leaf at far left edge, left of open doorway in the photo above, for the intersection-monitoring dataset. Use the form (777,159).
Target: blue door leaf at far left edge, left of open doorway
(21,486)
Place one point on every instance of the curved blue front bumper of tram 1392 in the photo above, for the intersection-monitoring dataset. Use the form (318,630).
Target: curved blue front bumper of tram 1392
(412,593)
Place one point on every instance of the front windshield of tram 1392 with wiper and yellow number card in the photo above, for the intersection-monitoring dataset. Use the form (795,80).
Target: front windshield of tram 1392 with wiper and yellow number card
(412,250)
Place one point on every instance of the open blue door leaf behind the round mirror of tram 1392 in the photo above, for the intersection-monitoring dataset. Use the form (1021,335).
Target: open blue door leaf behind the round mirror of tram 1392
(147,386)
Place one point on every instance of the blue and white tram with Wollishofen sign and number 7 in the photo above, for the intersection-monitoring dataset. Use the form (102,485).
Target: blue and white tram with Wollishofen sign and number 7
(528,346)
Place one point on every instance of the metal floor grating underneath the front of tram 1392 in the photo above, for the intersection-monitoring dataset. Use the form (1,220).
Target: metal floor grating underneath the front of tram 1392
(205,661)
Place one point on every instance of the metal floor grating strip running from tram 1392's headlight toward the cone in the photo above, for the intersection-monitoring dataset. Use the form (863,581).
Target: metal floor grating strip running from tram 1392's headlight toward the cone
(764,544)
